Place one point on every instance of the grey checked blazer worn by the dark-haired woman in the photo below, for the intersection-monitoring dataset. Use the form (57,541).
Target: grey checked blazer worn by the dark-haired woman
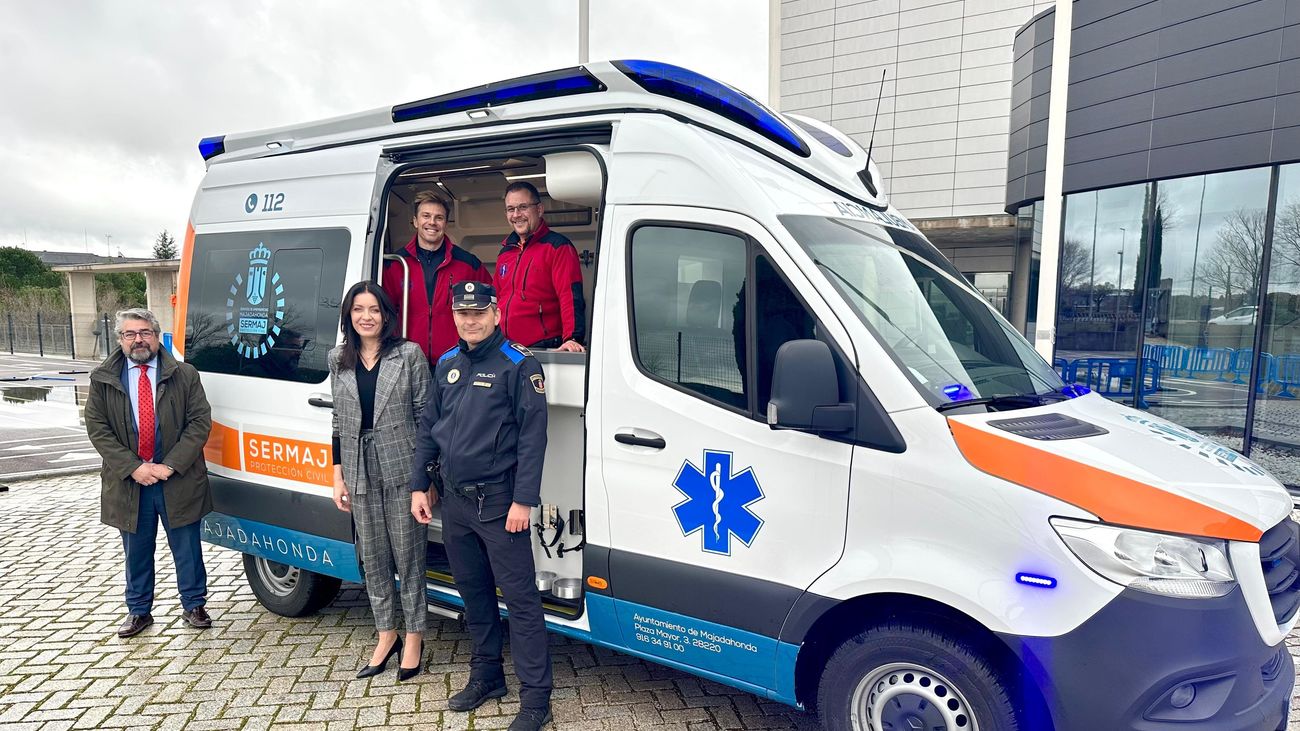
(401,393)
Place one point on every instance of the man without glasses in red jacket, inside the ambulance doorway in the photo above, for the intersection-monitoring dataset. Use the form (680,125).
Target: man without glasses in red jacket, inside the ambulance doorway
(436,263)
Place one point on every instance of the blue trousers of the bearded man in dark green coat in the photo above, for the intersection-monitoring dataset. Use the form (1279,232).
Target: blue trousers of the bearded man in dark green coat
(192,578)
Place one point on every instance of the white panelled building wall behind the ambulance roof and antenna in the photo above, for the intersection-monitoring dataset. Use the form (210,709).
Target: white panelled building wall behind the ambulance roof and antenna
(942,136)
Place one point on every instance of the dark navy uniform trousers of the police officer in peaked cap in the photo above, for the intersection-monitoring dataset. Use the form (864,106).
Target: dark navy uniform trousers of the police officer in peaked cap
(486,557)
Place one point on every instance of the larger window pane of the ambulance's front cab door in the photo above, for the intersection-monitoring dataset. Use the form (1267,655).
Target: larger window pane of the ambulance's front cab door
(687,286)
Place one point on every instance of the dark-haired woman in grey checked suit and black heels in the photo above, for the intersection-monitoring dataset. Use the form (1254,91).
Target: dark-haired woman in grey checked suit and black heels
(380,384)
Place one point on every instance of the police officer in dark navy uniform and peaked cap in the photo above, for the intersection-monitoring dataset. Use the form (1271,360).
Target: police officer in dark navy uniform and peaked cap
(486,427)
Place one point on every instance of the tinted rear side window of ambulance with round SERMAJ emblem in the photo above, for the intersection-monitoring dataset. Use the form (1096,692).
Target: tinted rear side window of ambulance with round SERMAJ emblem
(266,304)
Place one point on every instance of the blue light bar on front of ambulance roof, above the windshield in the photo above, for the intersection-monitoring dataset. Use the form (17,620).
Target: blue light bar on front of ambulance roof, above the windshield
(716,97)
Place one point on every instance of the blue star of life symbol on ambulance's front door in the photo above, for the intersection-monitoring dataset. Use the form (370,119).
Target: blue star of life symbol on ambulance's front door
(718,503)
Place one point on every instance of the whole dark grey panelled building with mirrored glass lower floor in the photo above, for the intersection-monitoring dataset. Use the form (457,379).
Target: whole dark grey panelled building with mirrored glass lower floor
(1178,286)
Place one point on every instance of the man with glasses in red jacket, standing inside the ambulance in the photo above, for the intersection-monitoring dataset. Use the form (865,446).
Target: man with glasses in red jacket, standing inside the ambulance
(539,279)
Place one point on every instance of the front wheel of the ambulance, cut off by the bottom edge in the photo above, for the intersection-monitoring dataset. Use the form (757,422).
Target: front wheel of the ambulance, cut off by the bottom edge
(903,676)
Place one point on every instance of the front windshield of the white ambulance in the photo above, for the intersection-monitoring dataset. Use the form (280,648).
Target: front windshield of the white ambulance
(952,344)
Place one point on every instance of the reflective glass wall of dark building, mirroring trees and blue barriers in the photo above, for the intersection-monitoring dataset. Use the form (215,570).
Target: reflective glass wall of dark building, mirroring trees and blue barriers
(1182,297)
